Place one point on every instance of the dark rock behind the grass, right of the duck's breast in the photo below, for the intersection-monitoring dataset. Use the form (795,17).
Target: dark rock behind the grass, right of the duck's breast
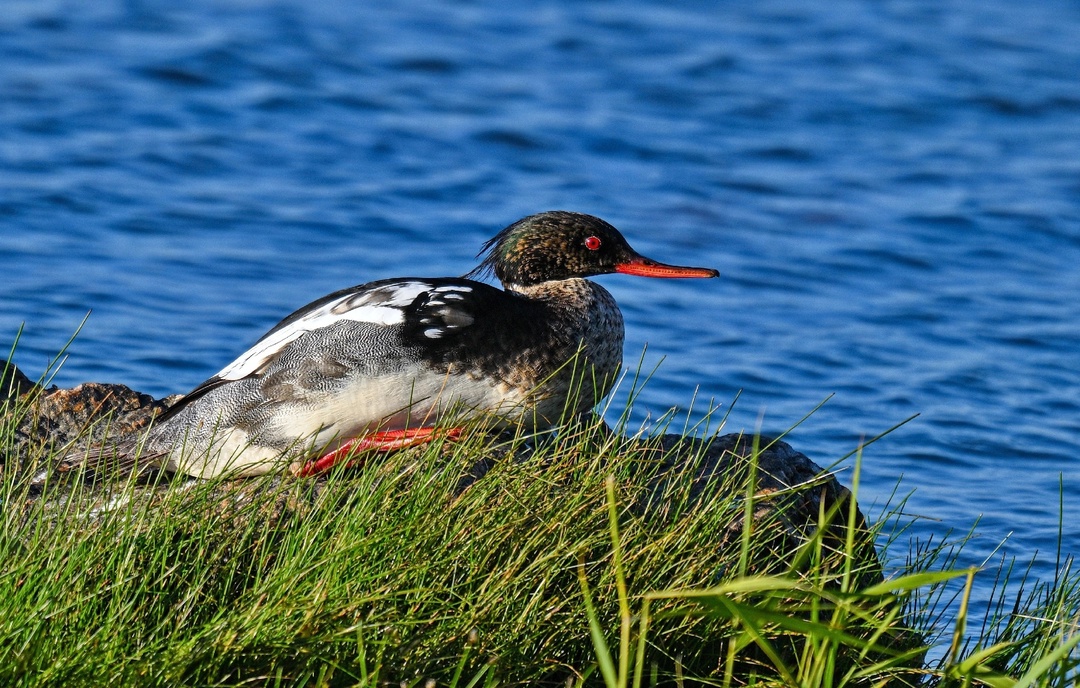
(671,476)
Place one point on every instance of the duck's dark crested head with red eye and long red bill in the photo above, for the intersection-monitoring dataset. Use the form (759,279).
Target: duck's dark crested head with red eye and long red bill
(561,246)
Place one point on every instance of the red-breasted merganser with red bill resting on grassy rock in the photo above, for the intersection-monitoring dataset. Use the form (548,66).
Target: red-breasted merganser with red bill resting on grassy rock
(377,366)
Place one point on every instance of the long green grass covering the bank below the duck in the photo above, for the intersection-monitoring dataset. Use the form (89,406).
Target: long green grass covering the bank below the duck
(558,565)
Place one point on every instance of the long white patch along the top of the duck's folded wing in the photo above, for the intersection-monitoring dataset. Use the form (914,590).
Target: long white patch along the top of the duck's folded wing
(382,305)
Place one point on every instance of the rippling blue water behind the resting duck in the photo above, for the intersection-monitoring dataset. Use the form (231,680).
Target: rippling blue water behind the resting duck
(892,192)
